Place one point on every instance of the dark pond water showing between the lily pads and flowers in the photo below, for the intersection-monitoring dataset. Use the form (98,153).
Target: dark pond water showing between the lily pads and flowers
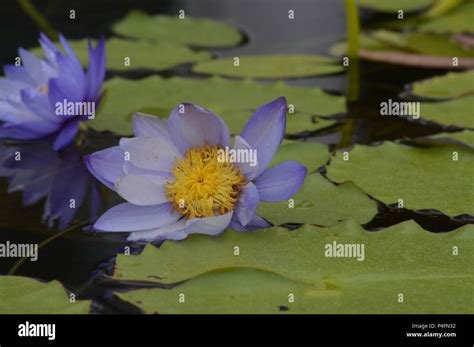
(79,257)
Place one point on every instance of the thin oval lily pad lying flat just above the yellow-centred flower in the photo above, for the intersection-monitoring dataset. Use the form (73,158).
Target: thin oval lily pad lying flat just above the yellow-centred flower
(271,66)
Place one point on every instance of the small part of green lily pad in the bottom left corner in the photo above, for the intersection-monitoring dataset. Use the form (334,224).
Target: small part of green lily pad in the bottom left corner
(22,295)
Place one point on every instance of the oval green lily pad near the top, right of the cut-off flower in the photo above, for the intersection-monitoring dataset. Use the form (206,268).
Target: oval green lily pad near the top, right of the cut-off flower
(189,31)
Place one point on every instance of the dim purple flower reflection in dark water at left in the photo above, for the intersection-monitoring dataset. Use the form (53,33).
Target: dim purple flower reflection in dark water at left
(59,178)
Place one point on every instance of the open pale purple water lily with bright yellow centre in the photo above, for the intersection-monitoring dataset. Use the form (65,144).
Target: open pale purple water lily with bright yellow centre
(176,182)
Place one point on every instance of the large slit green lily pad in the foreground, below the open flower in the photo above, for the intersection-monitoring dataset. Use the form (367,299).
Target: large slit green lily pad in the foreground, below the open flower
(286,262)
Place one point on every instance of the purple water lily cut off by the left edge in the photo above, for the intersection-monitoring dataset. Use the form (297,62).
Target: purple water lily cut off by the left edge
(30,93)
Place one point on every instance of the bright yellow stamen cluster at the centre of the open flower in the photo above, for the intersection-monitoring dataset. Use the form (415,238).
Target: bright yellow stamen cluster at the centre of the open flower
(203,186)
